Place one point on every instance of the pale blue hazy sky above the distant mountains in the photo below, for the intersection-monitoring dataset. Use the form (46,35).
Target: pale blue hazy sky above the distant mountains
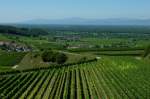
(19,10)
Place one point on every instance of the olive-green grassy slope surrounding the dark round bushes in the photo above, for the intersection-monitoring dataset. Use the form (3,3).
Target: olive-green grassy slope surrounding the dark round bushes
(30,61)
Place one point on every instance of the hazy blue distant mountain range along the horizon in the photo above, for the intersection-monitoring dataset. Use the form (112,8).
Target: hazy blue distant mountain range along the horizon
(82,21)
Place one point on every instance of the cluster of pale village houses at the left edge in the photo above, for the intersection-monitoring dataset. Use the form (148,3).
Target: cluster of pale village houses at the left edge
(12,46)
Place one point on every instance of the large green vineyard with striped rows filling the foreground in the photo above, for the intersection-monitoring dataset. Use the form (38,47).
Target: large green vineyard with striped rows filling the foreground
(107,78)
